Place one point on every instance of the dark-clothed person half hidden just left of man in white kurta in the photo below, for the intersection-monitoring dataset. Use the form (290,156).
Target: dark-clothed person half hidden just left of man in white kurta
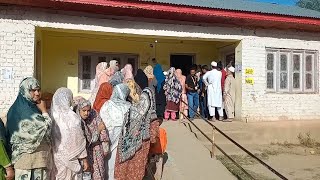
(203,93)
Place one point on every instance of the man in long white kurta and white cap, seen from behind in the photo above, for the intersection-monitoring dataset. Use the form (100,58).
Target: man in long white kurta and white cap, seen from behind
(212,79)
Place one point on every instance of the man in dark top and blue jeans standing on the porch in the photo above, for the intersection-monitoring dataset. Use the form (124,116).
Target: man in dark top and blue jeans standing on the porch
(192,87)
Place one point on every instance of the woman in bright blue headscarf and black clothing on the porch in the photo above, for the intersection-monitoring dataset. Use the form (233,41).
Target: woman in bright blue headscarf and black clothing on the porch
(160,96)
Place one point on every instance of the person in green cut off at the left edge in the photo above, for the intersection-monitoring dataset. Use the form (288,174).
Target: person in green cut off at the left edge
(6,169)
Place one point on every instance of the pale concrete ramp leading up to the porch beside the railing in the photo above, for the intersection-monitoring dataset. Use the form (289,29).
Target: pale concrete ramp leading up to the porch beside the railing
(188,159)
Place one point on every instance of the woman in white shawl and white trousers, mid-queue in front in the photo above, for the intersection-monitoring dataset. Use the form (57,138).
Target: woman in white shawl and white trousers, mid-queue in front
(114,113)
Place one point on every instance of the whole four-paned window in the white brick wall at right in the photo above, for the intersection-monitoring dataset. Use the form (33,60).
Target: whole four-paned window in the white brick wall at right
(290,70)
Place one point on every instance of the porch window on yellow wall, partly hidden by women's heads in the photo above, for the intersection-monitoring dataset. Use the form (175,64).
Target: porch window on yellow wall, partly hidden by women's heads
(89,61)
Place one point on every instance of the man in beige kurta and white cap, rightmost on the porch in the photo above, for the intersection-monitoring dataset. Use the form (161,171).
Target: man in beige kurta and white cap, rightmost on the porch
(229,94)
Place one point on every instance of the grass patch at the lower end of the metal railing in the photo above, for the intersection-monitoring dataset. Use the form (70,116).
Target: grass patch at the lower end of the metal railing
(242,160)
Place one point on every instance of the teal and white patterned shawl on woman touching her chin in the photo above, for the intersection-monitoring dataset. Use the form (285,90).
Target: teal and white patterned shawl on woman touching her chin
(26,126)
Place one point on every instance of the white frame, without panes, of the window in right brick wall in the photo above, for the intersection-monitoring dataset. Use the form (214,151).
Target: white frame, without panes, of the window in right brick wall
(290,65)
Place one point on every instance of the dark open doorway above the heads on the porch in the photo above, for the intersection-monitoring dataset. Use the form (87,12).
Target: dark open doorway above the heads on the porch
(183,62)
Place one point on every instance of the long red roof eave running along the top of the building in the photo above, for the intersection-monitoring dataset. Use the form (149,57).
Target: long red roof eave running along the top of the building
(175,12)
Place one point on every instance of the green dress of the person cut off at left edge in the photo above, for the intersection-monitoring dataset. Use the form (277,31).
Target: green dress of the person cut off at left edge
(4,158)
